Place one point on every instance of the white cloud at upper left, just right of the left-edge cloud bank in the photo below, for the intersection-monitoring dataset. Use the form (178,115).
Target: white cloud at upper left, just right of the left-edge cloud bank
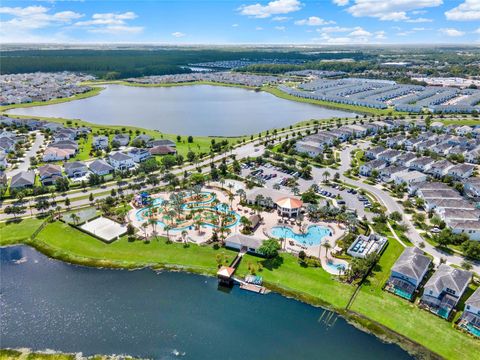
(111,23)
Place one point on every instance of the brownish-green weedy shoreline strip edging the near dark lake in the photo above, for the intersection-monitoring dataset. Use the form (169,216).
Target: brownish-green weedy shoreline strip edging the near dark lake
(359,321)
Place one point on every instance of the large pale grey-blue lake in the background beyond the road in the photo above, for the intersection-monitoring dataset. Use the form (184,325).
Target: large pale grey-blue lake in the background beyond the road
(187,110)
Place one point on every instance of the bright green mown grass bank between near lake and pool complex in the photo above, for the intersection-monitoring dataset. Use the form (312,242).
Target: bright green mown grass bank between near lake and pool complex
(284,274)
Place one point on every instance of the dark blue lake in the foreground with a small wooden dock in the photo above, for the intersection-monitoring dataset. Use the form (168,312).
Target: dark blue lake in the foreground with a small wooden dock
(49,304)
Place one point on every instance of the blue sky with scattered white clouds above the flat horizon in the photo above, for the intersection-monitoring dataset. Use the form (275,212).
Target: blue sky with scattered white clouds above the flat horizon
(242,22)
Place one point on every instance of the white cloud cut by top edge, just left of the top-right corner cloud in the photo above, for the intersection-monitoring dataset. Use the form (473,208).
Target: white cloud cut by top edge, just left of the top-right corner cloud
(390,10)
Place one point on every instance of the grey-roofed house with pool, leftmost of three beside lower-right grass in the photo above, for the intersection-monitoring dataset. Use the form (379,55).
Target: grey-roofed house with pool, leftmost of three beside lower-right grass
(408,272)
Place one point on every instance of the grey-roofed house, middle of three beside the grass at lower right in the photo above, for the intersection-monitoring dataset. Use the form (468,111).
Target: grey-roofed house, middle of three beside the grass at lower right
(444,289)
